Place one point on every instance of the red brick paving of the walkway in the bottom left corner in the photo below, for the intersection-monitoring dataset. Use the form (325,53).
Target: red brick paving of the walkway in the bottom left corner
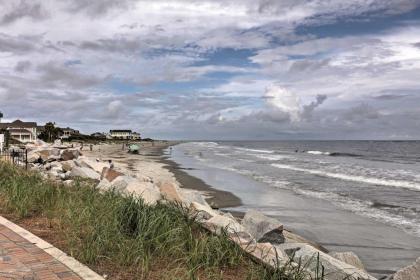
(20,259)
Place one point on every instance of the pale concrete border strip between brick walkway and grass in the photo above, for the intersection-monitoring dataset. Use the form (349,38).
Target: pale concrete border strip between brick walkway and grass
(80,269)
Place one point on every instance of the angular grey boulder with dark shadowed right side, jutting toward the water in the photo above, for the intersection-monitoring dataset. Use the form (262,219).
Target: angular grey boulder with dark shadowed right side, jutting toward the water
(263,228)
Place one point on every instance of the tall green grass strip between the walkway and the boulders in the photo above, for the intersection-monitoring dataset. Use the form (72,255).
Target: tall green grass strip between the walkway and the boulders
(125,237)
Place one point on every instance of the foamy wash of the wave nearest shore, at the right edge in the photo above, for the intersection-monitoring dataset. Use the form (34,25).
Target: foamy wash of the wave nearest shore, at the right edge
(369,209)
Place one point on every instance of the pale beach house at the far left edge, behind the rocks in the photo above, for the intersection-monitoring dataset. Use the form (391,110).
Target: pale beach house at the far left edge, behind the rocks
(21,131)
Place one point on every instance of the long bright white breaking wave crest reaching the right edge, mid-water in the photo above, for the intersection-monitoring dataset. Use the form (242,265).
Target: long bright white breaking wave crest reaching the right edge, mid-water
(354,178)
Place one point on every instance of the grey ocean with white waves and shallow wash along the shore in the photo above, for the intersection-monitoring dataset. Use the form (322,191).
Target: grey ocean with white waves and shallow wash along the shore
(370,183)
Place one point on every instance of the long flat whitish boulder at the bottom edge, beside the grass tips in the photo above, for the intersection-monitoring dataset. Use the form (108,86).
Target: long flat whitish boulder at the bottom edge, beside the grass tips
(313,259)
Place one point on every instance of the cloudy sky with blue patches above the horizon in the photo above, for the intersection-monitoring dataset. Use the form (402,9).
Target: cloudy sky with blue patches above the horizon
(215,69)
